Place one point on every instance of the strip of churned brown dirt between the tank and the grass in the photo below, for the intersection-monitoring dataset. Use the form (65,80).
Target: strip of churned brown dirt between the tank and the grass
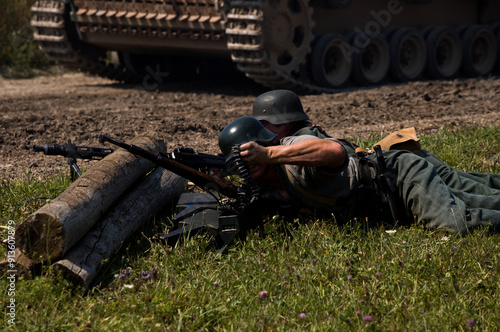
(76,107)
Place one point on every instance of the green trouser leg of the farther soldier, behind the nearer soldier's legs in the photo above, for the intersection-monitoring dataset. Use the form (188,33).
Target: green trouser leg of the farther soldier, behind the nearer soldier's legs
(471,182)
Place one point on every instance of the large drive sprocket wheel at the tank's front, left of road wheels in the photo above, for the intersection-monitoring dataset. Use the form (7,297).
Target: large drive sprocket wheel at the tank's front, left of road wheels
(287,34)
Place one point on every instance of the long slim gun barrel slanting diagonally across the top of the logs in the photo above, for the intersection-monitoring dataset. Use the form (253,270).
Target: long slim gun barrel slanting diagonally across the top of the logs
(201,179)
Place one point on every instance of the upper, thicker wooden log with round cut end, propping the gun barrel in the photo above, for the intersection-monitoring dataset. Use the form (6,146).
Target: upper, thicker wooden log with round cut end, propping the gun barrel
(50,232)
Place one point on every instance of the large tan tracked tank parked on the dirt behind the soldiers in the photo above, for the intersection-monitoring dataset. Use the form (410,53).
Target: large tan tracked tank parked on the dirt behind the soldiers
(316,45)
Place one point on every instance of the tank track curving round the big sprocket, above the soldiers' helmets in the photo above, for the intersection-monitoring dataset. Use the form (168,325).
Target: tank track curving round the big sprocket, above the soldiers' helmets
(246,41)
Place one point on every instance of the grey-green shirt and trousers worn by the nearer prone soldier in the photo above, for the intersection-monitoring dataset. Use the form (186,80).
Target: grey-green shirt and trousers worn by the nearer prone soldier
(421,189)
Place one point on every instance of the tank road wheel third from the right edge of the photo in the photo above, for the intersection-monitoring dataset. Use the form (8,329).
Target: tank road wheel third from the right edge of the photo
(408,55)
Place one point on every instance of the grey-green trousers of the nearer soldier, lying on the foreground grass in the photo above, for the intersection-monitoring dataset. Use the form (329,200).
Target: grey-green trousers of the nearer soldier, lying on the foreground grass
(426,196)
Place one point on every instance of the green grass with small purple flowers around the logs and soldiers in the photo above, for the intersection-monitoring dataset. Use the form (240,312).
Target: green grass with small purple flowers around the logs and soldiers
(307,275)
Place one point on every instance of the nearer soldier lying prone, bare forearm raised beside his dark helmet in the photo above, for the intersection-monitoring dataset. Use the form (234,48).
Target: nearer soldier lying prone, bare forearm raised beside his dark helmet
(320,174)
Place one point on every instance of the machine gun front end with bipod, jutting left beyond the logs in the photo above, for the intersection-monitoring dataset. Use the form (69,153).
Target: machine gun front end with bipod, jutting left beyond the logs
(72,153)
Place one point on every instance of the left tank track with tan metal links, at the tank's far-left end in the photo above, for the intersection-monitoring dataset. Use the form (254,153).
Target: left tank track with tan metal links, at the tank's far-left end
(52,32)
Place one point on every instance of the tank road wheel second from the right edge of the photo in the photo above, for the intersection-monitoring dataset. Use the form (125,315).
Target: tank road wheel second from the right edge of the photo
(444,53)
